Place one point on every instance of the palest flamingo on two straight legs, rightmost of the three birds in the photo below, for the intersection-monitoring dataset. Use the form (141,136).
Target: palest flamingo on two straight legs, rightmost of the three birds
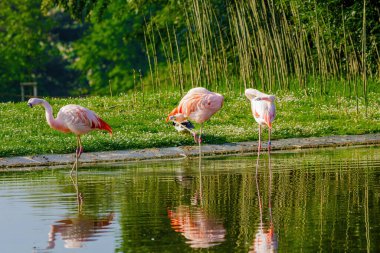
(263,110)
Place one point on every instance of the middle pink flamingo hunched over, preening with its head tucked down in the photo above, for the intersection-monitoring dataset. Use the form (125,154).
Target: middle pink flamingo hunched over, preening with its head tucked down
(199,104)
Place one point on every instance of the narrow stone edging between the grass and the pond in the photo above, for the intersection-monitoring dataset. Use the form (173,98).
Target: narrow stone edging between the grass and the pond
(29,163)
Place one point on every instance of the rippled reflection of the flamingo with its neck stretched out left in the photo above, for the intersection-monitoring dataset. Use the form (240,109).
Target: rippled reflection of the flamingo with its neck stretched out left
(75,231)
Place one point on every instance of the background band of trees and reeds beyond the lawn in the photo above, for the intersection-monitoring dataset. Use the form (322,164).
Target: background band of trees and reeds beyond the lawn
(321,48)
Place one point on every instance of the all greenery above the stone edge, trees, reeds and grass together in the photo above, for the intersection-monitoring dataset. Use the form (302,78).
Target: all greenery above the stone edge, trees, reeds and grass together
(321,59)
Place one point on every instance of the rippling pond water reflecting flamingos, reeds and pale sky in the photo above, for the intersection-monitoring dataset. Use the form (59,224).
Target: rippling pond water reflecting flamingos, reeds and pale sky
(315,200)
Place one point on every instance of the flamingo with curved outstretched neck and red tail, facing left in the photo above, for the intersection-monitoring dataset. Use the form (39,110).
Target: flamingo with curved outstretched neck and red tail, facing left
(72,118)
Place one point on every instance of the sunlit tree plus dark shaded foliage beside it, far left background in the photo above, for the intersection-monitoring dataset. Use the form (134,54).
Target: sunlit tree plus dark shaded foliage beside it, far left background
(30,46)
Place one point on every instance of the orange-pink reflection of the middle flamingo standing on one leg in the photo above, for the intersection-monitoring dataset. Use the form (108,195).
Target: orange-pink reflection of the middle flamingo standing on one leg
(201,229)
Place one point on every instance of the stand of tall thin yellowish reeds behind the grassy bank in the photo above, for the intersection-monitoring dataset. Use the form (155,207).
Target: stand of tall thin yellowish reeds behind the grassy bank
(263,44)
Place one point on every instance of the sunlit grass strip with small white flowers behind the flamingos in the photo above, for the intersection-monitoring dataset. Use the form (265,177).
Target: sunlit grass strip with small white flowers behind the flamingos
(139,122)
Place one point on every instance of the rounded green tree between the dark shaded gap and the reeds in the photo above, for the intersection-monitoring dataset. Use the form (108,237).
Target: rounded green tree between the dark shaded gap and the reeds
(113,49)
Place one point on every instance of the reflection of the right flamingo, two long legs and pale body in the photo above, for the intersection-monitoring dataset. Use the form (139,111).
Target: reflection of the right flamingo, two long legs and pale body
(265,239)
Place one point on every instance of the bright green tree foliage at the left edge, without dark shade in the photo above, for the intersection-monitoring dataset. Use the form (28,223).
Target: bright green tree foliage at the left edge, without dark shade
(23,39)
